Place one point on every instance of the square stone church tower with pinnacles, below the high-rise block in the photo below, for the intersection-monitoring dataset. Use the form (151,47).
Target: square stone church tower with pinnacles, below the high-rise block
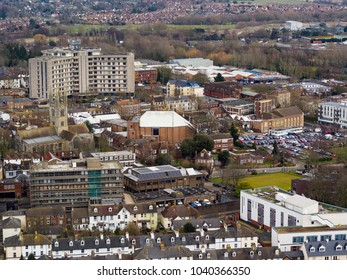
(58,117)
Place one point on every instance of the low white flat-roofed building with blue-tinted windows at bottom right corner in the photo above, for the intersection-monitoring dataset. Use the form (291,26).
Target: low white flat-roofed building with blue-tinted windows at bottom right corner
(289,239)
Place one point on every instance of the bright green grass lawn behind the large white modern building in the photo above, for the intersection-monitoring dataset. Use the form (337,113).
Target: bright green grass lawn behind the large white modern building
(280,179)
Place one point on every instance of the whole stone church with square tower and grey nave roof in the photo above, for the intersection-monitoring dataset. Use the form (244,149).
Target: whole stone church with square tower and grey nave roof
(59,136)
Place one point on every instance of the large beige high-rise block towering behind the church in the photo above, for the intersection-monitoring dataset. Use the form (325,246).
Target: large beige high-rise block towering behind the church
(77,70)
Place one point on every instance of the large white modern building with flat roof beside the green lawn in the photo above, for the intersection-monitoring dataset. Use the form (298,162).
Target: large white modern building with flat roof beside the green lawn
(272,207)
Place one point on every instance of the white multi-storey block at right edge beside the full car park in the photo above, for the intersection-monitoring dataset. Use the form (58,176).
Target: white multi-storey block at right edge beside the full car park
(333,113)
